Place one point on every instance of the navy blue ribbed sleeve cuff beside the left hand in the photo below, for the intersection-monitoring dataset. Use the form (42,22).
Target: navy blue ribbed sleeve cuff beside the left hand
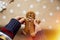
(13,26)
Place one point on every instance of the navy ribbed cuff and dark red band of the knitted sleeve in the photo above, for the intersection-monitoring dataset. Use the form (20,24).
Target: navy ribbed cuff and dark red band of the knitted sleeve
(11,28)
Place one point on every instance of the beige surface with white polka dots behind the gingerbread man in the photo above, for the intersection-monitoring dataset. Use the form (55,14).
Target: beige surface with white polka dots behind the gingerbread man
(48,11)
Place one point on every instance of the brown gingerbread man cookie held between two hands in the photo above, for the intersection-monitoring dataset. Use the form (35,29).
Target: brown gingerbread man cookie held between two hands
(29,24)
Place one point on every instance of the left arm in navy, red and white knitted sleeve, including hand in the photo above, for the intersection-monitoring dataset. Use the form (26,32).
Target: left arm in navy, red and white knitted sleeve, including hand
(10,30)
